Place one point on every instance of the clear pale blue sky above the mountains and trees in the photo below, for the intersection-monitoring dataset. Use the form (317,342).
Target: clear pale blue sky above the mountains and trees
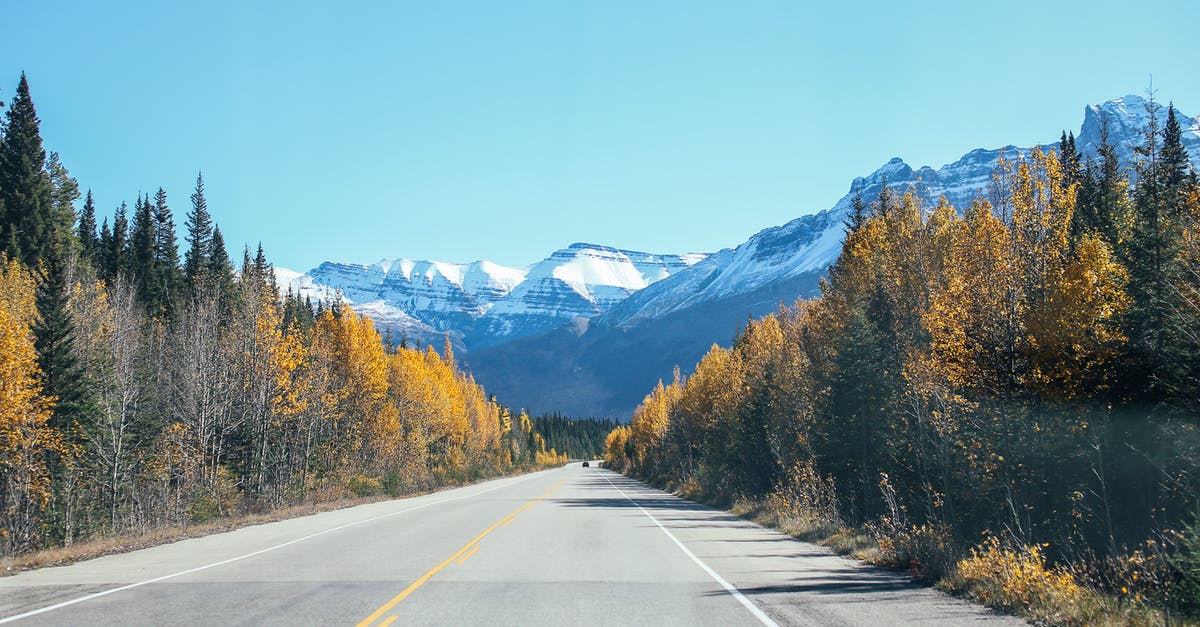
(505,130)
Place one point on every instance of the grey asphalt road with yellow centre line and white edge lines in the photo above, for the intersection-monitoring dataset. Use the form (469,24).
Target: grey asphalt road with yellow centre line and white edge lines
(565,547)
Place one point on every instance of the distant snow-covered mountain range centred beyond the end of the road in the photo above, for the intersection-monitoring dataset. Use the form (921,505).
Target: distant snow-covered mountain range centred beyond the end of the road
(485,303)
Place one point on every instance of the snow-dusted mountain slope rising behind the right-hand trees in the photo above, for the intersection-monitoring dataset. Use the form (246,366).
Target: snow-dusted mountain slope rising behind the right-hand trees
(605,367)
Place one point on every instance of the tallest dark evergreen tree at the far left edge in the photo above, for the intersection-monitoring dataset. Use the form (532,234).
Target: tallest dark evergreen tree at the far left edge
(29,226)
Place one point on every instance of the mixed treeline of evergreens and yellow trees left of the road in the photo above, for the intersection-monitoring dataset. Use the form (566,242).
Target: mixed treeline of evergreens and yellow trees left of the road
(141,391)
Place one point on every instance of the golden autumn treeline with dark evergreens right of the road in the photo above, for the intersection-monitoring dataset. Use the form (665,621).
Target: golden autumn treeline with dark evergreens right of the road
(1029,371)
